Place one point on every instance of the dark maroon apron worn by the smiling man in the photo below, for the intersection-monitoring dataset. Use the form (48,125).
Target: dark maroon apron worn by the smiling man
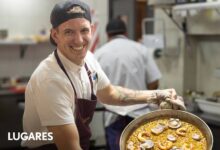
(84,110)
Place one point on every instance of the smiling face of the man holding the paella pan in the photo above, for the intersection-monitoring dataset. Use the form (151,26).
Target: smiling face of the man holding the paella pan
(73,38)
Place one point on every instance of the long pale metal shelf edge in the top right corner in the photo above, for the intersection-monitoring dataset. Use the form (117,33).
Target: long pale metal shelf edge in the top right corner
(197,6)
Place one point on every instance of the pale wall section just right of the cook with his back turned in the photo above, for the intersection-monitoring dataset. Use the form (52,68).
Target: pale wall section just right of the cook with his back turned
(171,63)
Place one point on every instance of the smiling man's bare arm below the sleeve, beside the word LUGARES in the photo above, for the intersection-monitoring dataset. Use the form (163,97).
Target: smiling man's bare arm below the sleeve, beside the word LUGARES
(65,137)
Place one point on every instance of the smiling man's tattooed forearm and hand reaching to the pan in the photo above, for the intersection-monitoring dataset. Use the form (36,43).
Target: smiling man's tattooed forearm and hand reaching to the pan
(116,95)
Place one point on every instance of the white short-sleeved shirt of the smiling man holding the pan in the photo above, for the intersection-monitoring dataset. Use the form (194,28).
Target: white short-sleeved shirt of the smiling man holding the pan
(49,96)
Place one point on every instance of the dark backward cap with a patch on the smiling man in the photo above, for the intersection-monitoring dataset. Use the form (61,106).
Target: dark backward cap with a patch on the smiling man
(67,10)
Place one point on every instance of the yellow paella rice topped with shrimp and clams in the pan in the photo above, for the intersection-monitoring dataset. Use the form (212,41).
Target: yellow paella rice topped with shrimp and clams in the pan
(186,137)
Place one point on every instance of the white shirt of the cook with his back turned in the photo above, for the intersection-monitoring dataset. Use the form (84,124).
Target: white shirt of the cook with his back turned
(129,64)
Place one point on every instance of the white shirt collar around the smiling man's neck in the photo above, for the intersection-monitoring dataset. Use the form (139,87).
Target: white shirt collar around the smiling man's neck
(68,64)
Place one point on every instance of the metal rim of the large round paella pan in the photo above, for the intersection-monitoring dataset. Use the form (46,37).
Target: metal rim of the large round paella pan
(155,115)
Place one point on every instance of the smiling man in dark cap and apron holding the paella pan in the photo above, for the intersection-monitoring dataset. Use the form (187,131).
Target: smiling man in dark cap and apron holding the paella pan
(61,95)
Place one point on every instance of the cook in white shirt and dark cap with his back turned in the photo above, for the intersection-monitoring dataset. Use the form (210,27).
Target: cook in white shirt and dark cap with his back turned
(126,63)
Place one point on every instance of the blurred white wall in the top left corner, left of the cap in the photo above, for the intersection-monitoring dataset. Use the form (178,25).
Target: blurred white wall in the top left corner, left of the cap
(25,17)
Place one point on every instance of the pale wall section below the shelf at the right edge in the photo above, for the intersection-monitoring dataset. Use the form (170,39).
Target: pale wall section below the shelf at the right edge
(209,60)
